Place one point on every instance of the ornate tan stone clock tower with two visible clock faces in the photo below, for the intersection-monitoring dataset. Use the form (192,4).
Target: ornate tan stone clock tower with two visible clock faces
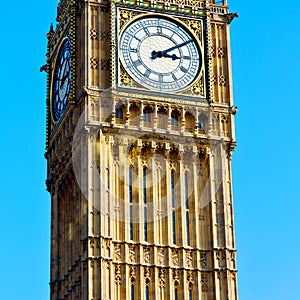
(140,131)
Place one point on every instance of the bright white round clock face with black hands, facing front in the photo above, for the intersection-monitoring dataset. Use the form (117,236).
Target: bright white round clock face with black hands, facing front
(160,54)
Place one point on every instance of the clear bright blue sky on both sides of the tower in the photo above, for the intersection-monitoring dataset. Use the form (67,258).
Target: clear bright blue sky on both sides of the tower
(266,164)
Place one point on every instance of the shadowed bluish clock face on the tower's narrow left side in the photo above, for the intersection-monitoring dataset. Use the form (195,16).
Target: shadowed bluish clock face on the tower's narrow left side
(61,81)
